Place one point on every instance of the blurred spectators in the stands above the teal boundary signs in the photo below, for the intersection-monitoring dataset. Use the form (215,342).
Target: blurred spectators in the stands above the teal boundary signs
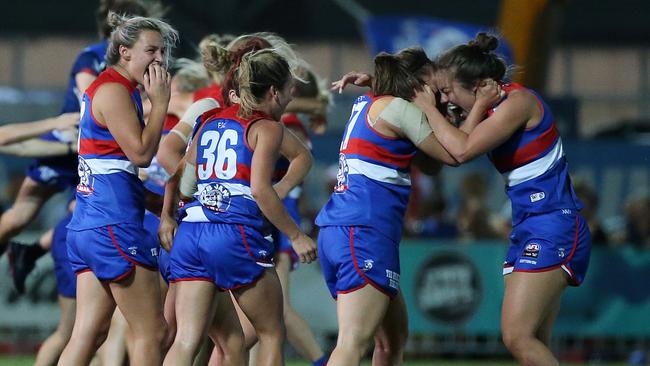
(431,216)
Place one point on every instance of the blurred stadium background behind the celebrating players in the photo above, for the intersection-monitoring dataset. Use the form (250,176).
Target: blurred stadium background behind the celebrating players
(589,59)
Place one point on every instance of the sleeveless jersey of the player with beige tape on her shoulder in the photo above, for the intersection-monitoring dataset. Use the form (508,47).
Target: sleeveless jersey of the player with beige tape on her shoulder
(373,180)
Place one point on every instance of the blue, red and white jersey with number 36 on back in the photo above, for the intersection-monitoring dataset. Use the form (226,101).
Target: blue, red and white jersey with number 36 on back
(223,171)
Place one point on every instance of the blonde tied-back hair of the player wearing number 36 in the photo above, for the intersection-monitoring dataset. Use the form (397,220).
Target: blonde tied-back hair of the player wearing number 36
(257,72)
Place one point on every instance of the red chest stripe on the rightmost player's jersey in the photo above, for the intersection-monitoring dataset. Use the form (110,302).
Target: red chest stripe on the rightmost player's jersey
(528,152)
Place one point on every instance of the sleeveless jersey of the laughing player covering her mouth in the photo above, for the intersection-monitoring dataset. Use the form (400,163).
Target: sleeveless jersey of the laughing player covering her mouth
(109,190)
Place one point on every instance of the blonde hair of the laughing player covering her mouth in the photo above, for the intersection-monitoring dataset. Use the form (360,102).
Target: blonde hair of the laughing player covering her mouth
(126,31)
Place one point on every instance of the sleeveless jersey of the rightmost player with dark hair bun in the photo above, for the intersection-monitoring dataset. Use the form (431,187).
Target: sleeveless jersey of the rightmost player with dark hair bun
(534,166)
